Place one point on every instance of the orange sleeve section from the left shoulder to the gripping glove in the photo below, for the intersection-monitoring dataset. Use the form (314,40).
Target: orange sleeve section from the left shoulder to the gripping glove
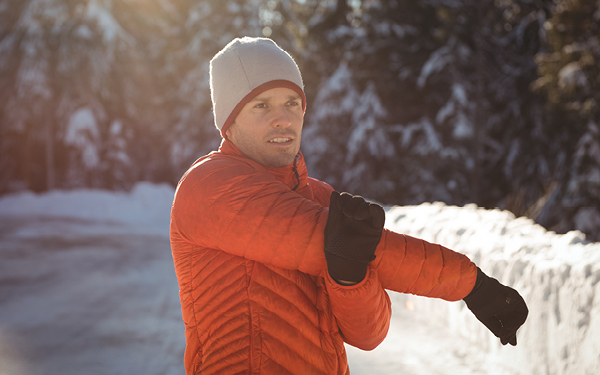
(244,211)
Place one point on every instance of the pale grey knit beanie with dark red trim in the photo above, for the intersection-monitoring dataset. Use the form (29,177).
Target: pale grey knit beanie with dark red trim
(245,68)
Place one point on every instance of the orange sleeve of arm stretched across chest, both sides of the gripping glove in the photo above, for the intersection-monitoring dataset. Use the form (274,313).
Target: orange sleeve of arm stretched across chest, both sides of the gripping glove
(245,212)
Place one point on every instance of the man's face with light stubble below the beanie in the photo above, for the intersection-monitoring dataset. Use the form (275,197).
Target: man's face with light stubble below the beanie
(268,129)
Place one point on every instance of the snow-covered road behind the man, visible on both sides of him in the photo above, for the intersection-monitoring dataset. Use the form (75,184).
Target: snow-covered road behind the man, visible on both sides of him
(87,297)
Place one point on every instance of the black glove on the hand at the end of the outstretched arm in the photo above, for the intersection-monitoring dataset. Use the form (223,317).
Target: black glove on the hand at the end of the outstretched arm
(500,308)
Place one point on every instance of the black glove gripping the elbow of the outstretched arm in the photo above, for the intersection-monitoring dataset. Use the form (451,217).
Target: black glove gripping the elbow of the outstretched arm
(353,230)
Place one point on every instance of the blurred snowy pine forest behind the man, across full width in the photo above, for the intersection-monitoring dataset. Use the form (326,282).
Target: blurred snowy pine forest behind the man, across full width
(492,102)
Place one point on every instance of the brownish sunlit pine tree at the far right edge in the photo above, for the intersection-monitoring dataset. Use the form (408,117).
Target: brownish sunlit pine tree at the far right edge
(569,71)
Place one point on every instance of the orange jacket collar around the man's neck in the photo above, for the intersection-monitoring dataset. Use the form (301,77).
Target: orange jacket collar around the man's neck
(285,175)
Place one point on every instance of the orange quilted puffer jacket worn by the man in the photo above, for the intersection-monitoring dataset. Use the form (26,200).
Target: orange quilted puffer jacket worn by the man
(247,243)
